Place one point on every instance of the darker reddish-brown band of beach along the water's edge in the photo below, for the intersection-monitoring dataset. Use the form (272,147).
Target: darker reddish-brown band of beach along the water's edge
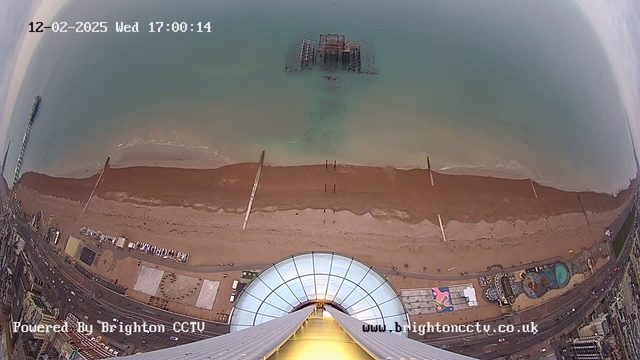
(385,193)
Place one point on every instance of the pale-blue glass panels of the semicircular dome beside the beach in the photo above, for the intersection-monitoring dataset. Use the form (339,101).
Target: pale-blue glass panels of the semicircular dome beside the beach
(346,283)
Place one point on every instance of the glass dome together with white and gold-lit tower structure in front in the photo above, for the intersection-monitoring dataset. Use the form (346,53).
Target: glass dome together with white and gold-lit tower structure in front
(313,305)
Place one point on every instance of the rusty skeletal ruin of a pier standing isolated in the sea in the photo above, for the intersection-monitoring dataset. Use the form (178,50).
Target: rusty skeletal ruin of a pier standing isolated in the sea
(332,52)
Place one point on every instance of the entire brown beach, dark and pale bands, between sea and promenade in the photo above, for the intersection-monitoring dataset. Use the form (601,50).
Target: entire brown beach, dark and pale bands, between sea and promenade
(384,216)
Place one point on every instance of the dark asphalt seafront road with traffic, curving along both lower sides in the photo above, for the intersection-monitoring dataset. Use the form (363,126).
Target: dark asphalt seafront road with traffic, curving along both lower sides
(559,315)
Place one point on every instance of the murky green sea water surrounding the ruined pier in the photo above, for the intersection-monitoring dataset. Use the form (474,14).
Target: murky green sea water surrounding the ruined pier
(524,88)
